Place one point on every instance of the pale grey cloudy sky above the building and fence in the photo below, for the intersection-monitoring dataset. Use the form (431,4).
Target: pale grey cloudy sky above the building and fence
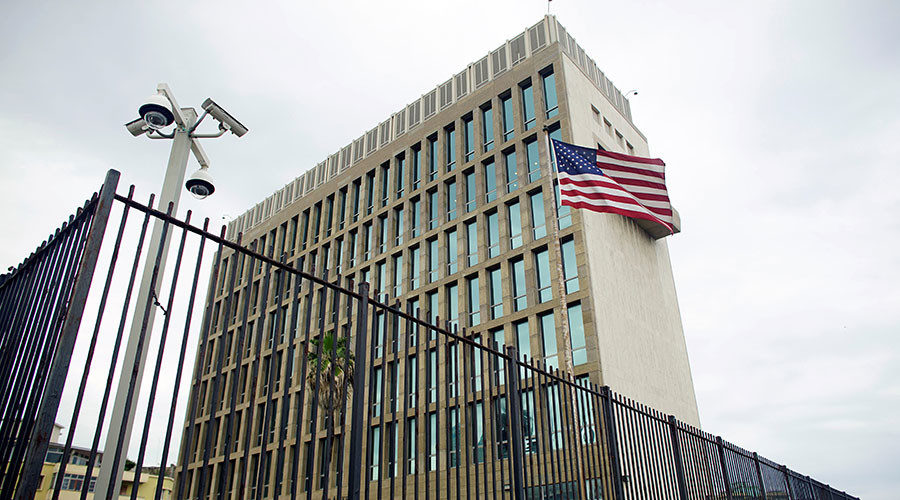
(780,123)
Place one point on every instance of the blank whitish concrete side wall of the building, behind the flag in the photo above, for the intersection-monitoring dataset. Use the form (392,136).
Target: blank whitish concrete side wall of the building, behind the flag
(642,348)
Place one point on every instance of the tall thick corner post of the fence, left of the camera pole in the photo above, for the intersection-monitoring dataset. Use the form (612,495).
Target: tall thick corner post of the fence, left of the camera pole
(56,379)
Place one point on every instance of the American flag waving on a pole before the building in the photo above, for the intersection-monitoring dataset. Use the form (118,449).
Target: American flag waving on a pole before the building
(603,181)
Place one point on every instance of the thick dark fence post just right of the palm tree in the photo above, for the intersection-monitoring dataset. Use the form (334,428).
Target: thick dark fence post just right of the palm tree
(358,411)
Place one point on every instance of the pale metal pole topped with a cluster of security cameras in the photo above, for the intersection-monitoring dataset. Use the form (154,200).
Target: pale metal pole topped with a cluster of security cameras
(160,111)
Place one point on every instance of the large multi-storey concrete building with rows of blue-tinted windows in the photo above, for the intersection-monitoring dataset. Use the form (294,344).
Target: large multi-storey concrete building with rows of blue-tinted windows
(450,207)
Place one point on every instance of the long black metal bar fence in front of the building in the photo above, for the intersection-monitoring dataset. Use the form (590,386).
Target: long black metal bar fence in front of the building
(309,387)
